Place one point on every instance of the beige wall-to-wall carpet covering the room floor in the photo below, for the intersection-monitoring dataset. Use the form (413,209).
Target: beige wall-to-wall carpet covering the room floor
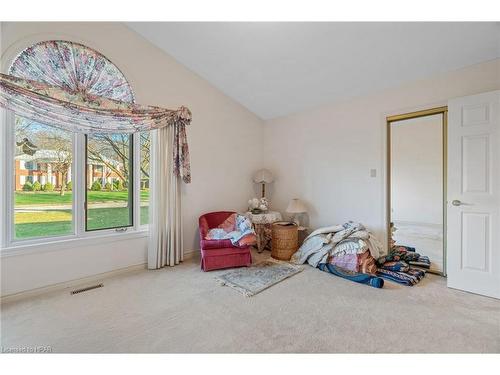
(182,309)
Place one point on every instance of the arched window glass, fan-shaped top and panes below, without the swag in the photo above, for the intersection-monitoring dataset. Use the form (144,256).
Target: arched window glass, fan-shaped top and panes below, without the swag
(47,160)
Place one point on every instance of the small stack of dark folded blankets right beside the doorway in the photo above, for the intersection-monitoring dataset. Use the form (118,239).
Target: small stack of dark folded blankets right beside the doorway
(403,265)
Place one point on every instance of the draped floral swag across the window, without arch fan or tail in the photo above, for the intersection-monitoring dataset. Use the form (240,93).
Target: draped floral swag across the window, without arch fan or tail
(82,112)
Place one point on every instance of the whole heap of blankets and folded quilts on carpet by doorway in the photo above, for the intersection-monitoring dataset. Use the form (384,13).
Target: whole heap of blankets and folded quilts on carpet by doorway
(351,252)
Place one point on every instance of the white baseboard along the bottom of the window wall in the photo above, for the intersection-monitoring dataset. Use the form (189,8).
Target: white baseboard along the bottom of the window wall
(82,281)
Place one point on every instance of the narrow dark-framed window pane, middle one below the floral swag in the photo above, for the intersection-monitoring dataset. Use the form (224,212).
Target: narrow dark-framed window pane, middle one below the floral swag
(109,181)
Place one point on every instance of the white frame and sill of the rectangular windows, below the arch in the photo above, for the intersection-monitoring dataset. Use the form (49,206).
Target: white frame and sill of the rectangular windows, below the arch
(10,245)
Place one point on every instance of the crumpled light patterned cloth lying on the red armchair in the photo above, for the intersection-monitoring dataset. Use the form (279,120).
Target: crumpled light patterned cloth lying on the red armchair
(237,228)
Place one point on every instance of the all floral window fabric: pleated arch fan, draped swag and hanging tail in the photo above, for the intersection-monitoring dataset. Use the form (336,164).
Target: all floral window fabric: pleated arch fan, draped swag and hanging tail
(72,87)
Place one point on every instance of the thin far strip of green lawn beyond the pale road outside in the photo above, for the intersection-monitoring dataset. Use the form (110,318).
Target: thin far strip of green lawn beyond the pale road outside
(41,197)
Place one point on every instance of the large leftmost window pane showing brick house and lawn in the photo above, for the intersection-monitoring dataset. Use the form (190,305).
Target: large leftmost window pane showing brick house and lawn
(42,180)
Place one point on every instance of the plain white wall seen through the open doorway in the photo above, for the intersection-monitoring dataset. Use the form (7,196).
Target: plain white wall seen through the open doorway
(417,170)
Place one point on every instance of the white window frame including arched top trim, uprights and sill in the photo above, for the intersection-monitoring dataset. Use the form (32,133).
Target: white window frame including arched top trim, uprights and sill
(10,247)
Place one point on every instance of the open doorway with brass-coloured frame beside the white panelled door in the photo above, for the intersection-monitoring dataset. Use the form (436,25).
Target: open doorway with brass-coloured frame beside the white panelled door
(416,181)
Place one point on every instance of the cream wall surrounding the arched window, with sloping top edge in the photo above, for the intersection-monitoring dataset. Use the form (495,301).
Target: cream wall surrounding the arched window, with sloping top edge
(224,140)
